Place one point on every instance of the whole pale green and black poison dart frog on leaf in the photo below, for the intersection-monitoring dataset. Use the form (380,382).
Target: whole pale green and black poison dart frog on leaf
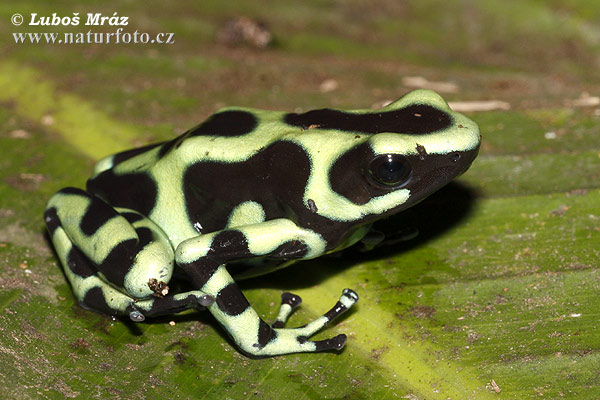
(245,193)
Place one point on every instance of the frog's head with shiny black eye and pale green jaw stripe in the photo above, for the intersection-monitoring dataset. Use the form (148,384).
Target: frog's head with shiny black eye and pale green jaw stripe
(406,151)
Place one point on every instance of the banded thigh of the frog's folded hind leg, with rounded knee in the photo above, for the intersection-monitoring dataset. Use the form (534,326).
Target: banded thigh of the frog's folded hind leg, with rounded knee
(129,250)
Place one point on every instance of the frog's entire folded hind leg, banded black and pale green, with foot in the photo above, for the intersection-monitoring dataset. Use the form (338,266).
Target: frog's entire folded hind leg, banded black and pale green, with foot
(117,260)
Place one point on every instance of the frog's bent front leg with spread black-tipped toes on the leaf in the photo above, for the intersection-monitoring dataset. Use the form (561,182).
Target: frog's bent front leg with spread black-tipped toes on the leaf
(204,257)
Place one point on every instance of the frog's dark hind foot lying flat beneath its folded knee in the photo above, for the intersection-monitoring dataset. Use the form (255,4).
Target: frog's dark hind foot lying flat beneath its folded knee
(169,304)
